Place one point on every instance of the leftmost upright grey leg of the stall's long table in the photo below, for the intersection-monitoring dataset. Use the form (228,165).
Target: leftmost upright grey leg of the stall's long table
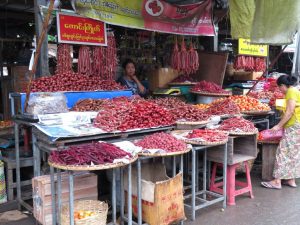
(18,176)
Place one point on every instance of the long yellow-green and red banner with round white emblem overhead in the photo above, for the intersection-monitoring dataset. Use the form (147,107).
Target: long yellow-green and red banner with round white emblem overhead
(153,15)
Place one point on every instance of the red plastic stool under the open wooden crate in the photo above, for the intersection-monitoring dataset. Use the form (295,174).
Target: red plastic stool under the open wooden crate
(232,192)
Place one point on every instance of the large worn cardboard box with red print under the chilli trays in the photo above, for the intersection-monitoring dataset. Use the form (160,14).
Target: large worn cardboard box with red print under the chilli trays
(162,197)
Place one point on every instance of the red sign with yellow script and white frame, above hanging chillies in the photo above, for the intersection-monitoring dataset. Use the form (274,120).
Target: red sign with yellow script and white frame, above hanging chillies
(80,30)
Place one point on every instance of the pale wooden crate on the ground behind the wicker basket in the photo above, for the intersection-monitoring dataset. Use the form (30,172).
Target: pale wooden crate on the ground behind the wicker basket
(85,187)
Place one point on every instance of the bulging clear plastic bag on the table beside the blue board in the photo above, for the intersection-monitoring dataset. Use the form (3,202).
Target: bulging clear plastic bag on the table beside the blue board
(47,103)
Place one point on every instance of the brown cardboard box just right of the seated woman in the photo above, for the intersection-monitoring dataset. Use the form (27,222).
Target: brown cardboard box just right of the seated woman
(161,77)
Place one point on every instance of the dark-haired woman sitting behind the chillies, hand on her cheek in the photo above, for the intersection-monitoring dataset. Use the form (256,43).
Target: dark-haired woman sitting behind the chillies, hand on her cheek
(130,80)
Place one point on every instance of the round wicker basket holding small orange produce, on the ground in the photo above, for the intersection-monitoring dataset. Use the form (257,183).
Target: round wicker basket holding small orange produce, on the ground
(99,208)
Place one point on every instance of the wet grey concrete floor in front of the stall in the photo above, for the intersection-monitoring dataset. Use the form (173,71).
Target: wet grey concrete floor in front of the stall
(272,207)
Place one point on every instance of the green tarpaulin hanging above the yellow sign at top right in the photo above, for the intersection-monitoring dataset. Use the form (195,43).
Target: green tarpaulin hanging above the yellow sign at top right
(265,22)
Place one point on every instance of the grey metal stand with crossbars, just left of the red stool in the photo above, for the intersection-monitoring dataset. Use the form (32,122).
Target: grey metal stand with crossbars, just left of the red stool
(194,186)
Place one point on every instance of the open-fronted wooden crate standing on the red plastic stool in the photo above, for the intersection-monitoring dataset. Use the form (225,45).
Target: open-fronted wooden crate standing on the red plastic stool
(240,149)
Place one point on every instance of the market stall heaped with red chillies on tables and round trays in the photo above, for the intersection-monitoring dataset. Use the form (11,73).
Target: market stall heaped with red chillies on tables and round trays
(81,119)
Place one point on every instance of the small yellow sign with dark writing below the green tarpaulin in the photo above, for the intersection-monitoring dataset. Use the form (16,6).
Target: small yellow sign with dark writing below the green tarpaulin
(246,48)
